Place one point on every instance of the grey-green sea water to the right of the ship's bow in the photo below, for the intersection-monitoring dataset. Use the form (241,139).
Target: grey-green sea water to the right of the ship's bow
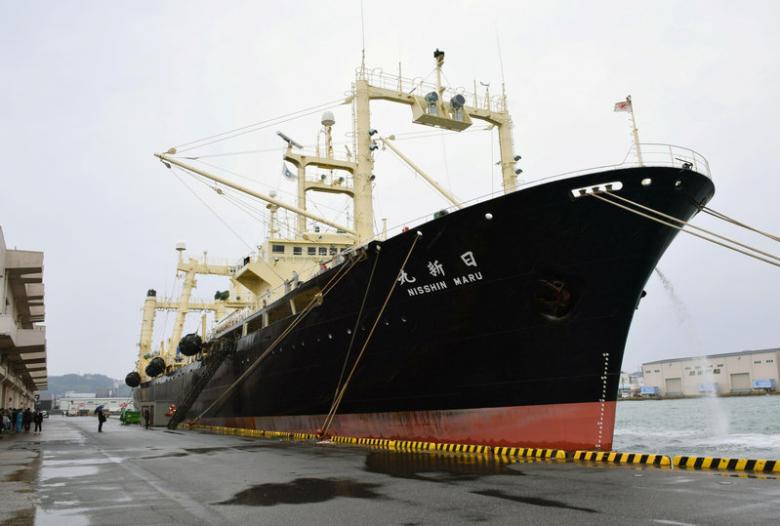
(745,426)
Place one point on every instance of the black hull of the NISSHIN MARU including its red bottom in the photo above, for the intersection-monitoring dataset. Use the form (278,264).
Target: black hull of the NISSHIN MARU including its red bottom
(507,327)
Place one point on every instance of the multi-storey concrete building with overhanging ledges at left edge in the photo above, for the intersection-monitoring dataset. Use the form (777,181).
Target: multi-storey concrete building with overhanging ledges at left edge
(22,335)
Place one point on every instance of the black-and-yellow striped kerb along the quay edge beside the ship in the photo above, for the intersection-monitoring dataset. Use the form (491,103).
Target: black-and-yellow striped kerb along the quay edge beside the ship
(742,466)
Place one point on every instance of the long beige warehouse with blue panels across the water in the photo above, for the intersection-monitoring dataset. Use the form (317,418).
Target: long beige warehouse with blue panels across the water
(746,372)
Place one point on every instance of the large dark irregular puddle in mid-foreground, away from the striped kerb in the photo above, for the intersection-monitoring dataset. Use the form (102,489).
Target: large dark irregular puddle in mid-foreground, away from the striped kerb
(303,491)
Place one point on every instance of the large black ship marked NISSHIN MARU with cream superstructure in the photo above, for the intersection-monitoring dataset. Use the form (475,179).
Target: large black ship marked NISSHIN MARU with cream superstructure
(501,321)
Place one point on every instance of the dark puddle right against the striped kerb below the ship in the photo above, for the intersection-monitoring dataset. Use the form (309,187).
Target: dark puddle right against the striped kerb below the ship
(438,466)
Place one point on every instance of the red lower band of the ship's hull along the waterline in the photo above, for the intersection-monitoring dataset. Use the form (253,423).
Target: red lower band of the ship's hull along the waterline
(556,426)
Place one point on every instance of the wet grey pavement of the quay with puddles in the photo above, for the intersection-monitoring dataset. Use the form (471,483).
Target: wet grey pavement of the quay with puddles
(70,474)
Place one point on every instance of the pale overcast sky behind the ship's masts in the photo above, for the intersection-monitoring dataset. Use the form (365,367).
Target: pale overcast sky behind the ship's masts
(91,89)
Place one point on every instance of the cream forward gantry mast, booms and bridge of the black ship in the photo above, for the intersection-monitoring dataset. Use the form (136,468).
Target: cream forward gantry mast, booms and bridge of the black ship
(286,261)
